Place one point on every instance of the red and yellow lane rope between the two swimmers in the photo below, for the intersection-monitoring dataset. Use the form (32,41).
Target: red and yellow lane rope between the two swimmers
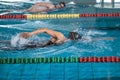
(56,16)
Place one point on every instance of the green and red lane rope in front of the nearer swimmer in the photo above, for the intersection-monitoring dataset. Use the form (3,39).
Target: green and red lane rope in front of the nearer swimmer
(109,59)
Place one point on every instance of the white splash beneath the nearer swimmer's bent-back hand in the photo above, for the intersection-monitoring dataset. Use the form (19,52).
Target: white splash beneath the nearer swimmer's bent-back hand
(18,41)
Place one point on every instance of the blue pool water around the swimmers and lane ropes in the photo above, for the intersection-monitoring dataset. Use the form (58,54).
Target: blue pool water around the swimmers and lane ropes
(91,27)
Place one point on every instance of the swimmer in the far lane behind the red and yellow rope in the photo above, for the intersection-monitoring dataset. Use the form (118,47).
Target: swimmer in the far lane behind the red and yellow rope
(44,7)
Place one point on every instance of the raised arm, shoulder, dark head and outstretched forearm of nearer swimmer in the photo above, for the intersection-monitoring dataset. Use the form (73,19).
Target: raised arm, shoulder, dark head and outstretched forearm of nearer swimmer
(58,37)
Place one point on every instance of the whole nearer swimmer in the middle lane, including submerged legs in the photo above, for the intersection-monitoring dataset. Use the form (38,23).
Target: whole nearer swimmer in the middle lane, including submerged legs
(56,39)
